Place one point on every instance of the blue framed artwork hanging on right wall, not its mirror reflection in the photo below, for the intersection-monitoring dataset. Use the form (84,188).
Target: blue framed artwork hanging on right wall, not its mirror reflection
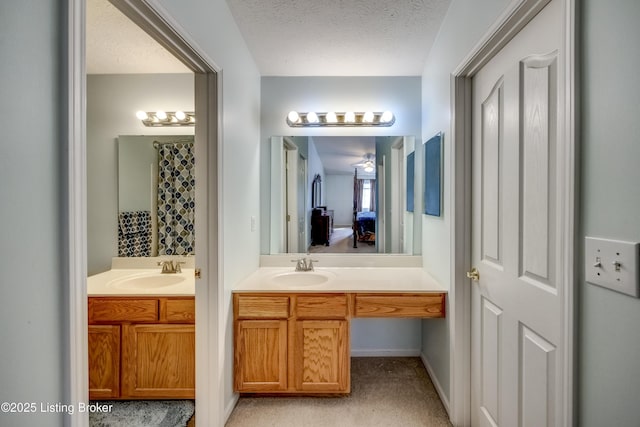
(433,175)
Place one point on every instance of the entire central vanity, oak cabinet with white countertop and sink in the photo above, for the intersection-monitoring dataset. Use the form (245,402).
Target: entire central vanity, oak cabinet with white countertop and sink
(291,329)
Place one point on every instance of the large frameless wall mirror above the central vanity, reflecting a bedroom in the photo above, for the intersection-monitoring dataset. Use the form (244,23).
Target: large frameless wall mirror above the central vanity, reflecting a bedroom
(361,207)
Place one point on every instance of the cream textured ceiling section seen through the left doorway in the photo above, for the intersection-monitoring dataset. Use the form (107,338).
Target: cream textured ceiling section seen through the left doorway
(115,45)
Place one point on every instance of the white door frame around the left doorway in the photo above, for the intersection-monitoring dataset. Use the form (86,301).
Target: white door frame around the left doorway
(159,24)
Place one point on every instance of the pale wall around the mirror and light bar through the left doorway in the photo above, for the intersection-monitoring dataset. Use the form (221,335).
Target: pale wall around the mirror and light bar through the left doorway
(112,101)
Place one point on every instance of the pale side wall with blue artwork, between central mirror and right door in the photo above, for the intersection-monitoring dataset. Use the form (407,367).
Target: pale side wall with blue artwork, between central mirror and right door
(465,23)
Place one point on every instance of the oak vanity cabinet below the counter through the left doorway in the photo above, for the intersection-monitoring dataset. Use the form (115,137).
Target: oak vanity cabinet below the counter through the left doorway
(141,347)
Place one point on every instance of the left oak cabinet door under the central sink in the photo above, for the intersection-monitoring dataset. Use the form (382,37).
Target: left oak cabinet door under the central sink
(260,355)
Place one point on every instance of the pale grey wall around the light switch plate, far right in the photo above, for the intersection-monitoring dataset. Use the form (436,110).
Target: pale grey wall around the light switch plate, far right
(609,350)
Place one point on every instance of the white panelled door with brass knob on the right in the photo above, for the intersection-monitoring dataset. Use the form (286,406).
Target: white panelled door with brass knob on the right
(517,303)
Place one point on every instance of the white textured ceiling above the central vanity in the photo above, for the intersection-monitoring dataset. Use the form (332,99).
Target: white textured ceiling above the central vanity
(339,37)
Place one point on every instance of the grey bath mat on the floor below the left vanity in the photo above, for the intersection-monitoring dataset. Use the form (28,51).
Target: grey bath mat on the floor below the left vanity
(143,413)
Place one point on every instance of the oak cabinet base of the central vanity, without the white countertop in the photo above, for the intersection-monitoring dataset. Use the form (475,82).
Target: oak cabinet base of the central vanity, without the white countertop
(298,343)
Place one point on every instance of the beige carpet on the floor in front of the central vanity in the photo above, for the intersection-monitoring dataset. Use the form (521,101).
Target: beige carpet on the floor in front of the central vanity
(385,392)
